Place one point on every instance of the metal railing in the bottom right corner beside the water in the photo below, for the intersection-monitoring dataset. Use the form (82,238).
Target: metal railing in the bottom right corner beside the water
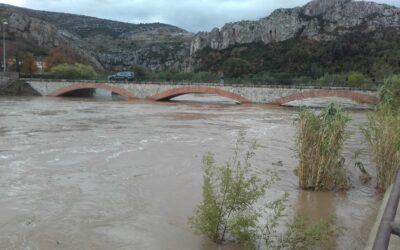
(387,227)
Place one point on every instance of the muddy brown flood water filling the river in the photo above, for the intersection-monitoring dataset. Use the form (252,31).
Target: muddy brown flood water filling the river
(84,174)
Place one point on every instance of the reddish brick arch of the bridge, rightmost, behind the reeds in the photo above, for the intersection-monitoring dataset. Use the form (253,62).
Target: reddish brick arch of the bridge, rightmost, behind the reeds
(348,94)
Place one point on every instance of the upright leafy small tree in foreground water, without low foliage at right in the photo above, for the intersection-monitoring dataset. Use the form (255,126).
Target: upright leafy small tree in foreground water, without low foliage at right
(230,193)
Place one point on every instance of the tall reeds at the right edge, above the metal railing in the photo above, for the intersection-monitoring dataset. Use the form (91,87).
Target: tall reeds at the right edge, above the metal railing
(382,133)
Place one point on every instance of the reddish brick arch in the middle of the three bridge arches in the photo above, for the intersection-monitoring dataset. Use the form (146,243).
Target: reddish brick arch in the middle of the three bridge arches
(171,93)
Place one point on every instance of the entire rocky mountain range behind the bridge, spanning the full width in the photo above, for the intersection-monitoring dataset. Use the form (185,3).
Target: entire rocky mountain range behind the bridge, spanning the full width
(321,36)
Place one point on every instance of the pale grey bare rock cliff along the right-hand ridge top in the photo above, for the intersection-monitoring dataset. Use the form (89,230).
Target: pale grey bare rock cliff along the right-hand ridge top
(319,20)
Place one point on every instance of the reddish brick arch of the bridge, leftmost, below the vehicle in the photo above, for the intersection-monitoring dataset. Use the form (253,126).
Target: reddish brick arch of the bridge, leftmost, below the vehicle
(78,86)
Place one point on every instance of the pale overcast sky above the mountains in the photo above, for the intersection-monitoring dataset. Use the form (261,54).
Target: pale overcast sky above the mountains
(192,15)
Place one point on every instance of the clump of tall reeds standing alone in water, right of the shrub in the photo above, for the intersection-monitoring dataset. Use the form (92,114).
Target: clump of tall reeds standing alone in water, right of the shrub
(320,138)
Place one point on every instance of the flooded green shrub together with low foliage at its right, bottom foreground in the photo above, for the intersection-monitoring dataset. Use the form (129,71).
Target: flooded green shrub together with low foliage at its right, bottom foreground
(232,208)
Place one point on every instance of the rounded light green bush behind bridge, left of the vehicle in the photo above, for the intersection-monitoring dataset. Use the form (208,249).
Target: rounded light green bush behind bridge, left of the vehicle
(73,71)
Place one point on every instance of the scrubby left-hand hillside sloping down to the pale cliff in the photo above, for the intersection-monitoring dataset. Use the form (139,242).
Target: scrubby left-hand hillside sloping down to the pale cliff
(105,44)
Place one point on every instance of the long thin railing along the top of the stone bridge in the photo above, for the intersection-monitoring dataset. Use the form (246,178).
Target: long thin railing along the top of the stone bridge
(260,85)
